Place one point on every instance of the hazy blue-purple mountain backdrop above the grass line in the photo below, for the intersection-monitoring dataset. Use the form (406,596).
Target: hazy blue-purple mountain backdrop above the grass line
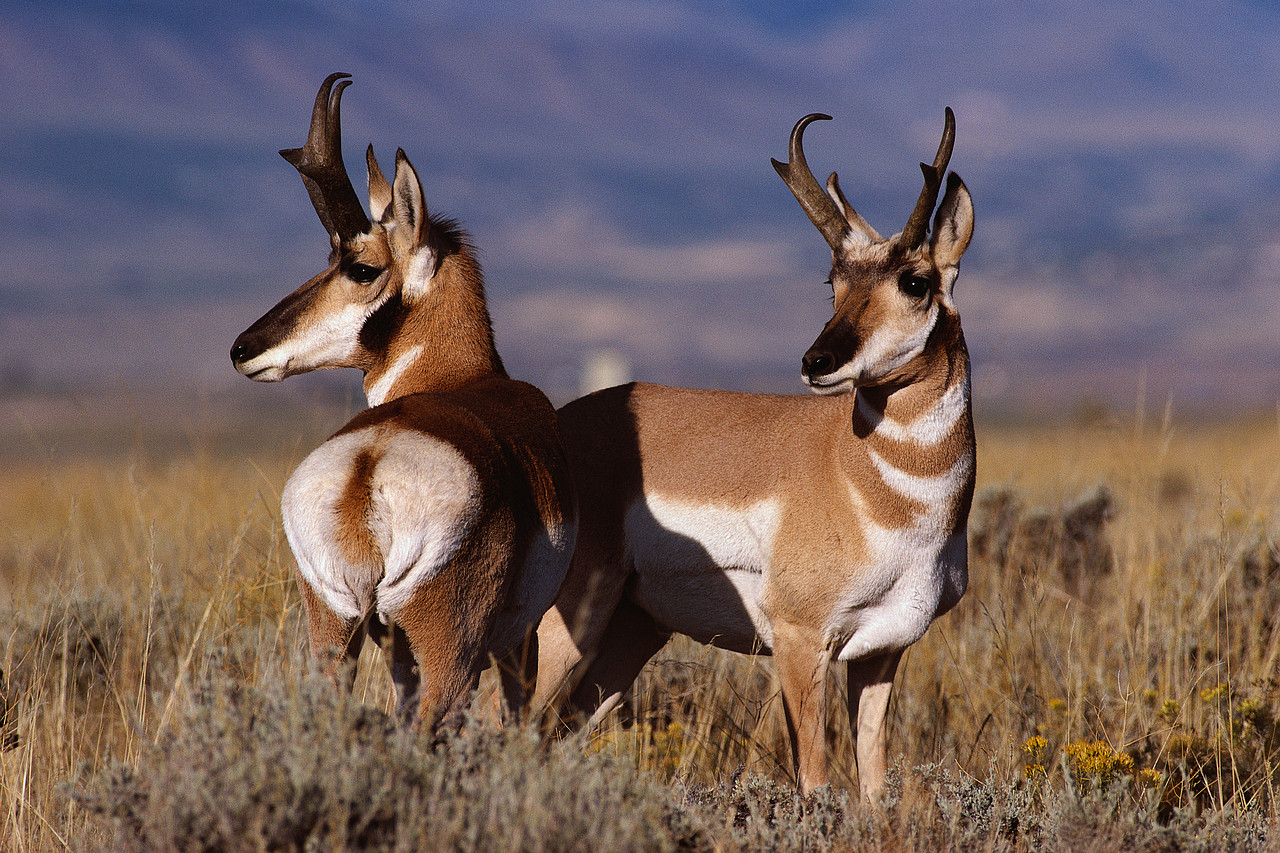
(612,163)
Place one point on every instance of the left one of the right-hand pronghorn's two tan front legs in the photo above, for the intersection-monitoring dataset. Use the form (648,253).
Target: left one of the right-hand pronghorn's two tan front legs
(802,665)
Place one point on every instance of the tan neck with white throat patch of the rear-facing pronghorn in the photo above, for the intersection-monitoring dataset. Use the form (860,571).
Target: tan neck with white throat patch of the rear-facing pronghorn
(444,341)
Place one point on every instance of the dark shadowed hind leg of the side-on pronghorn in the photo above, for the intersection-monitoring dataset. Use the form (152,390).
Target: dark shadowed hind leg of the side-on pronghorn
(630,640)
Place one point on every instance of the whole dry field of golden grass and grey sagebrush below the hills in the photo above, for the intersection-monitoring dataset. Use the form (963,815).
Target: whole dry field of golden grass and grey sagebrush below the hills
(1108,683)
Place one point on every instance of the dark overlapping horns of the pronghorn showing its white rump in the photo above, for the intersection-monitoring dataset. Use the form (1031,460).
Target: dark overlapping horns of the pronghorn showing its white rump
(319,162)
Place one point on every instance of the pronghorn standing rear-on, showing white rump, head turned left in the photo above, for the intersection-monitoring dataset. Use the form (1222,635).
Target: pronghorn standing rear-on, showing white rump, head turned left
(441,519)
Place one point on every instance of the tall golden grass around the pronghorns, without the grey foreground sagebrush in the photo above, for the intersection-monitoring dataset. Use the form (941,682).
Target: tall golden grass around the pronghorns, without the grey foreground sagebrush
(1148,665)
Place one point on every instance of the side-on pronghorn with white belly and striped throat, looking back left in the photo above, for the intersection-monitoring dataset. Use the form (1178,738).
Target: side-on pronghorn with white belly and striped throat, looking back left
(815,530)
